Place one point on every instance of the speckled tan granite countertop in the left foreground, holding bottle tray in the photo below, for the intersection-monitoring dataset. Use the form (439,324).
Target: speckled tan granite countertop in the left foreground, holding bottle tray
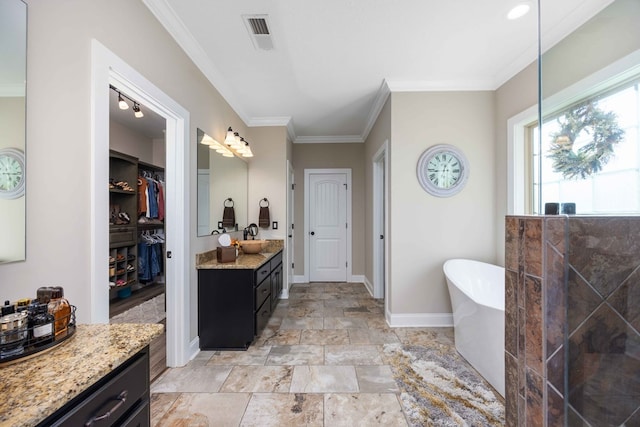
(35,388)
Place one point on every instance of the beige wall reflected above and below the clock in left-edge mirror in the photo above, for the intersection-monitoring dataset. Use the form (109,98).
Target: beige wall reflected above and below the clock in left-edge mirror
(12,212)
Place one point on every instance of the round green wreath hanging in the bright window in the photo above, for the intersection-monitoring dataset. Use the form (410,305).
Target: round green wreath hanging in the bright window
(590,158)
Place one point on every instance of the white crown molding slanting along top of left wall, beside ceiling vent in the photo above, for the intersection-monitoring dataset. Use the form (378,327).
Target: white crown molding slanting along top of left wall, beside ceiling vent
(181,34)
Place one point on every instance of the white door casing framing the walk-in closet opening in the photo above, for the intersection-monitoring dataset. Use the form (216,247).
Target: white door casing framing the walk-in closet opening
(108,69)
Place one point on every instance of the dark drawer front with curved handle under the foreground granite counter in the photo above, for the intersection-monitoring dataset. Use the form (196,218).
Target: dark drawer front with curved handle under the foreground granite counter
(132,381)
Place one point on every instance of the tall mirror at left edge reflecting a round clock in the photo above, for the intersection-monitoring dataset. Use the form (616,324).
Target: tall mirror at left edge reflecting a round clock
(13,71)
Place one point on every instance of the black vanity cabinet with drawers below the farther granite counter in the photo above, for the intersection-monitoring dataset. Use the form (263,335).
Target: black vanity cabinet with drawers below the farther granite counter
(235,304)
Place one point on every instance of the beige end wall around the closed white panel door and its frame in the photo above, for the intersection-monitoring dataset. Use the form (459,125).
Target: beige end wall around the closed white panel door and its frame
(331,156)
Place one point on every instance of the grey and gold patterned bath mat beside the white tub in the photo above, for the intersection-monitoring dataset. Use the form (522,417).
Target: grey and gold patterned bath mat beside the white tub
(439,388)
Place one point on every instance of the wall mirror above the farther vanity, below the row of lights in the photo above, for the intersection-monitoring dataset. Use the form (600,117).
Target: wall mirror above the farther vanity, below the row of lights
(222,189)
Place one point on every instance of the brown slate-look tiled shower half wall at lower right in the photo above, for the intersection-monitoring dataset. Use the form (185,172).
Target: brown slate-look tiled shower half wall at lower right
(600,315)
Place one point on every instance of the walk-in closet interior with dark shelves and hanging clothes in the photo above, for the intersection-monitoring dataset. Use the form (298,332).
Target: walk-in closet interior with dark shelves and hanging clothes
(136,188)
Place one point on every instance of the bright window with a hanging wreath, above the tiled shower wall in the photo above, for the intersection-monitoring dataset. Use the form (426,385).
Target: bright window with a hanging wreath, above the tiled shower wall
(596,185)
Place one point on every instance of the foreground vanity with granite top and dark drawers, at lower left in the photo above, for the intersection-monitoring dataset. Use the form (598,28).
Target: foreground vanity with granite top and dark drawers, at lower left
(100,376)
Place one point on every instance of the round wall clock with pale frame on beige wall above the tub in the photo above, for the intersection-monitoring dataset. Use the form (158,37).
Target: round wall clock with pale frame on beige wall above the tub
(443,170)
